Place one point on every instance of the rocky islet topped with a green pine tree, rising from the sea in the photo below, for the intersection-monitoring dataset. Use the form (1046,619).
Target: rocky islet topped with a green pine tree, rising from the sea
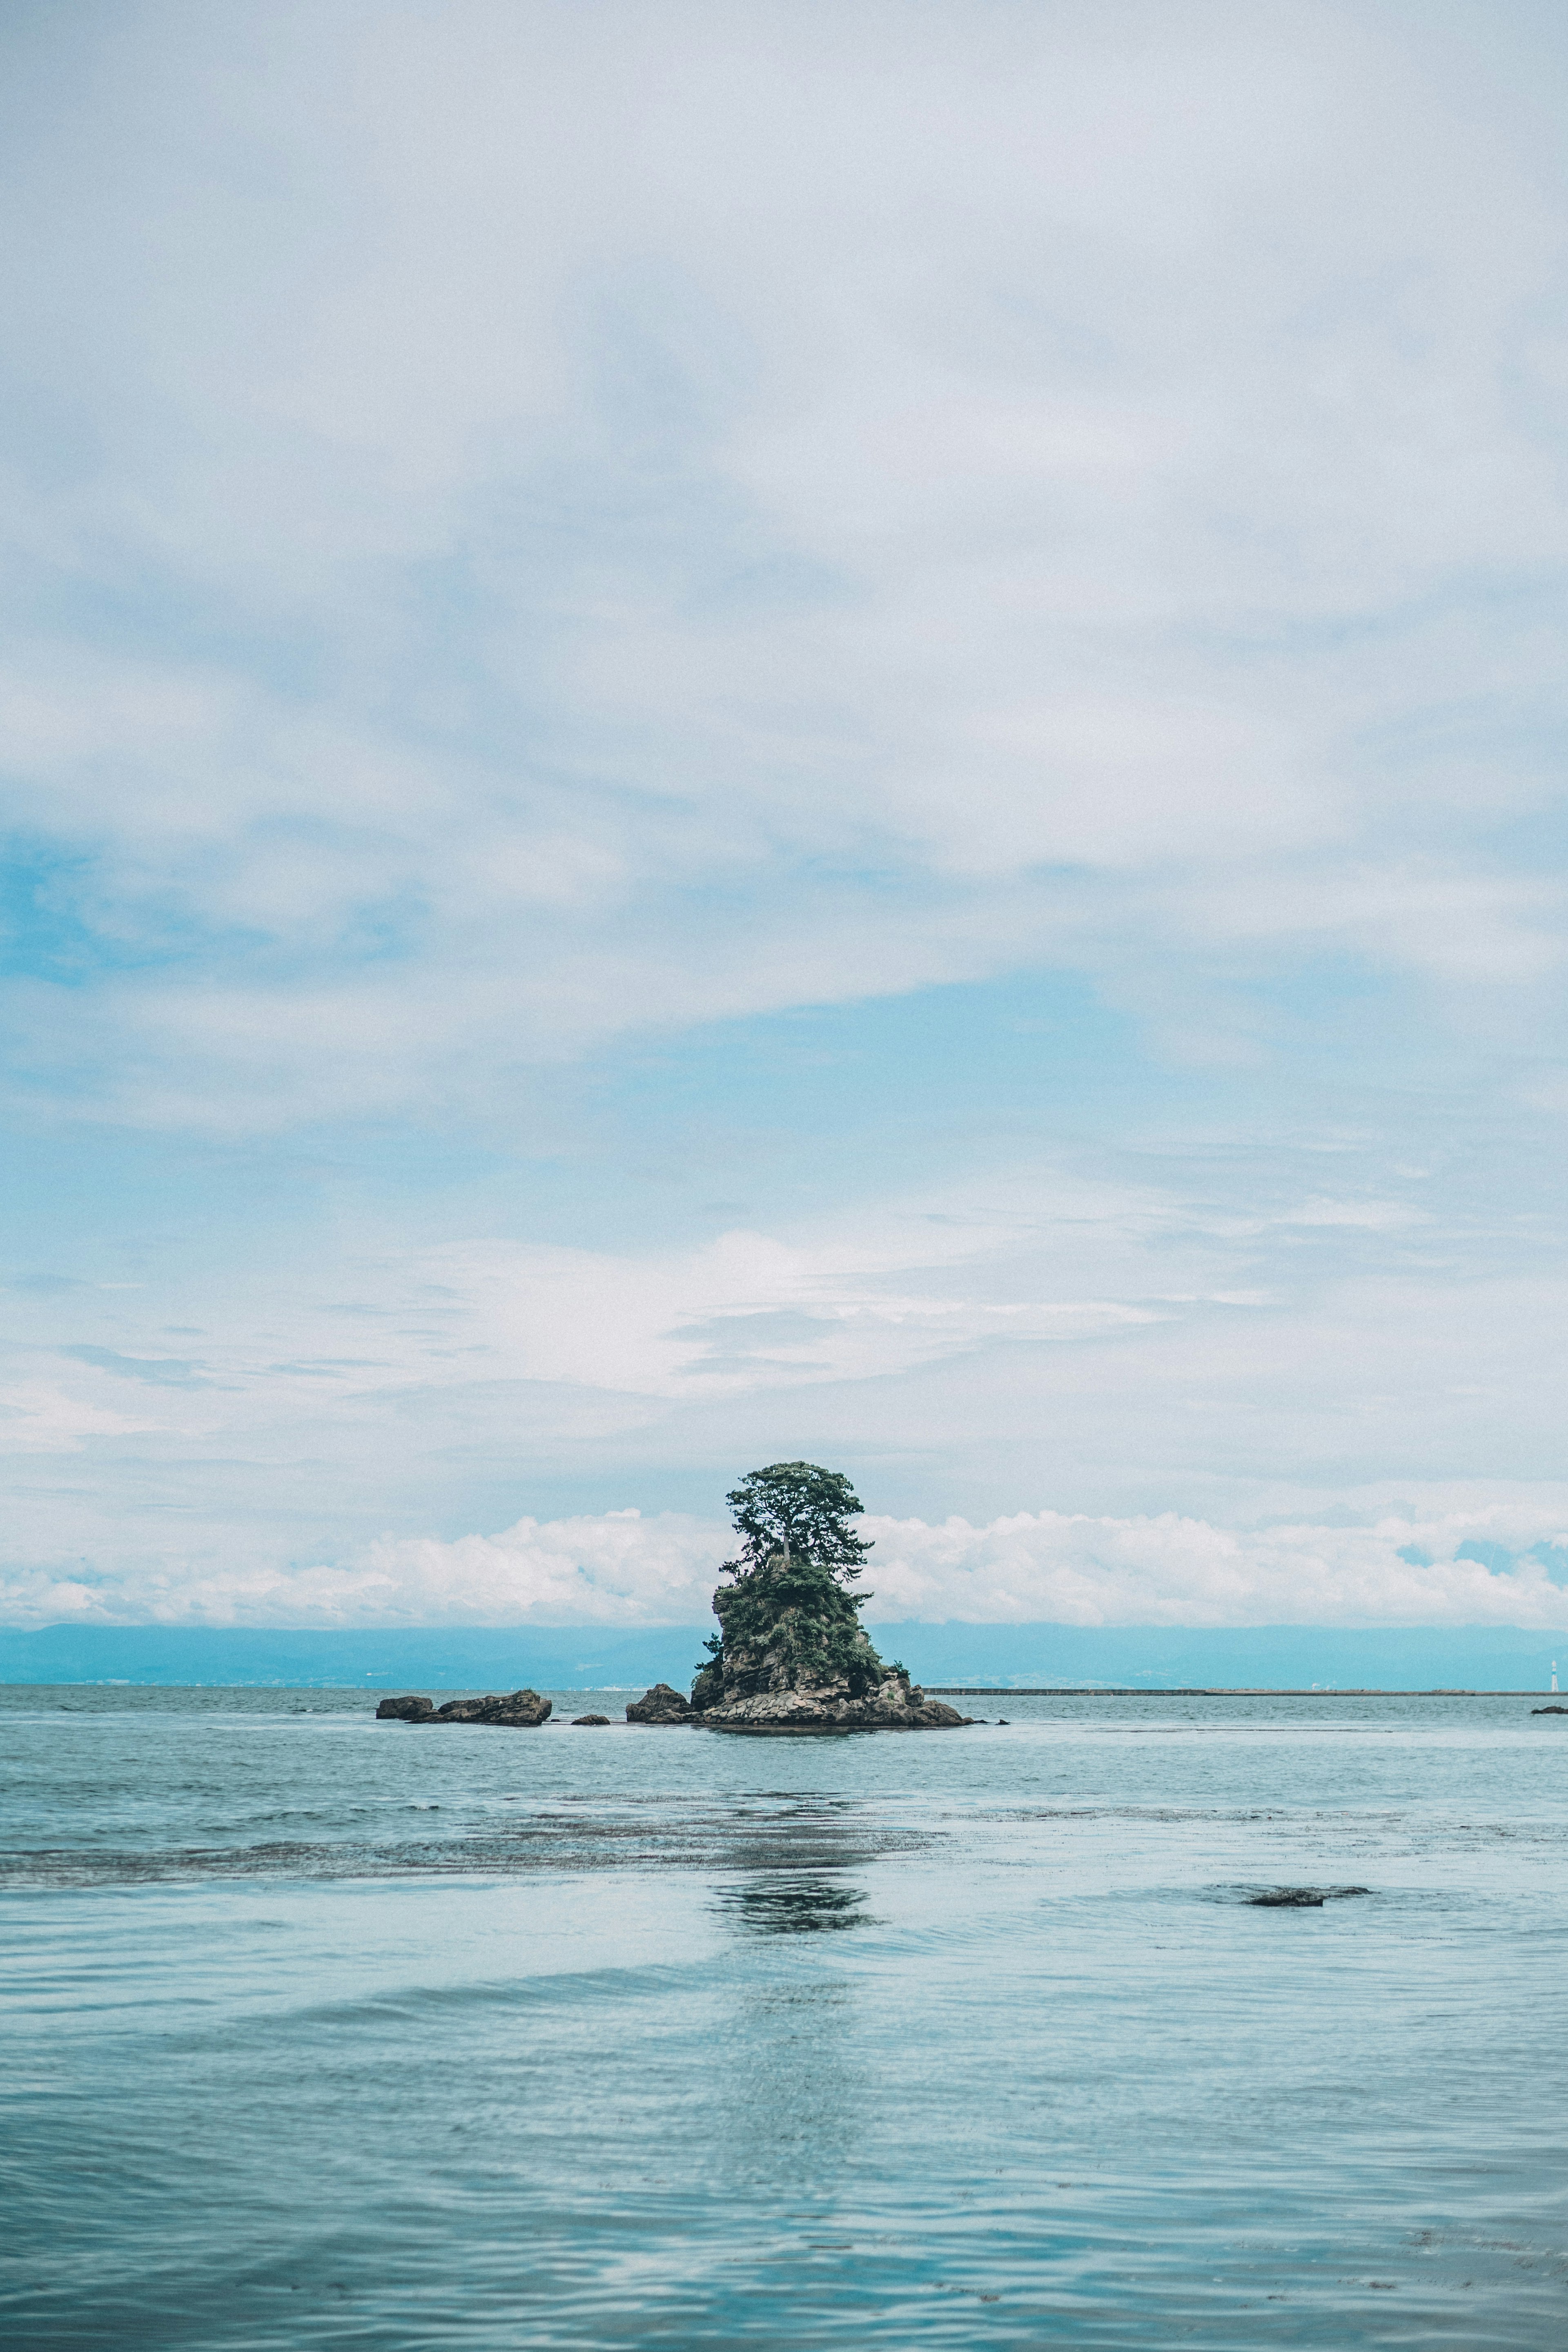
(791,1652)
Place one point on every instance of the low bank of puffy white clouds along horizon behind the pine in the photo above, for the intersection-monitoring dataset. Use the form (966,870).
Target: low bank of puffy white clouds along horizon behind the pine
(1494,1565)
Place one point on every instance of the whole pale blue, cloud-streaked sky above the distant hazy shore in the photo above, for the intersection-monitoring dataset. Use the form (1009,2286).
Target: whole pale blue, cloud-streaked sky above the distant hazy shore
(739,733)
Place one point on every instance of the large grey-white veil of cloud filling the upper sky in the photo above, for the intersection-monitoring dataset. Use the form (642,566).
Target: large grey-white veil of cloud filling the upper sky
(1106,528)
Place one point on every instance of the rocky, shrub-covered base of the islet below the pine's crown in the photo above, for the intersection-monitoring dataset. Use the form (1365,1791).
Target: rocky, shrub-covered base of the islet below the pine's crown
(796,1659)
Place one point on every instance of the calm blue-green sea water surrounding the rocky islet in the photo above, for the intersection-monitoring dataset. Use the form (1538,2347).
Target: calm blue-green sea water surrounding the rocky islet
(333,2033)
